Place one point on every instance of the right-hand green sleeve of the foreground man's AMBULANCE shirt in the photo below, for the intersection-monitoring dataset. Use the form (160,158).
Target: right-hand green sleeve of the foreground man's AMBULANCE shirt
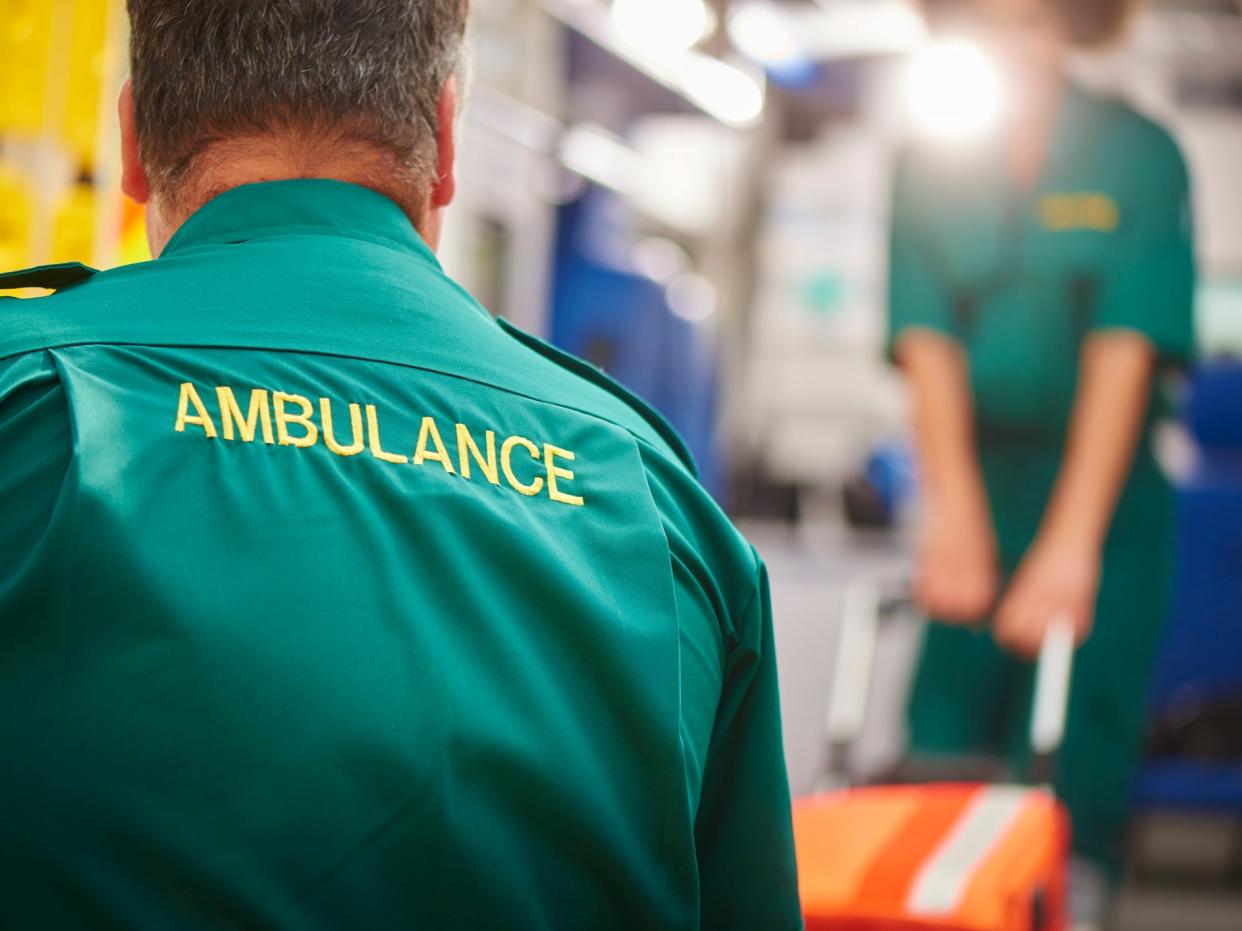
(745,835)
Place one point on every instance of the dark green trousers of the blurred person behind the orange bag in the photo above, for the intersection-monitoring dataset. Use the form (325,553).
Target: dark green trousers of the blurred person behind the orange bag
(972,697)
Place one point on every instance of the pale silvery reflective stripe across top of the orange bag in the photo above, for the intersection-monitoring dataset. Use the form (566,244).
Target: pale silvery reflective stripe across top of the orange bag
(942,883)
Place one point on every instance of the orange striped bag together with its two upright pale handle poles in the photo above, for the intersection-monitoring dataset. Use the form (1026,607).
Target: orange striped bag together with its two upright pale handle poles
(951,857)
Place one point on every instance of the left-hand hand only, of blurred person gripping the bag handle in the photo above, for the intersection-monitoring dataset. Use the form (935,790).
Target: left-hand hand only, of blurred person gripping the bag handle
(958,577)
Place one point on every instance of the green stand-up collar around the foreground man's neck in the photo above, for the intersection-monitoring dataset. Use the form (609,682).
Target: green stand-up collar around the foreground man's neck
(301,207)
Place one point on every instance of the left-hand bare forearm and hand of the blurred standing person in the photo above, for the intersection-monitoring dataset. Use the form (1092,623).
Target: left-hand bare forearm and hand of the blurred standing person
(958,573)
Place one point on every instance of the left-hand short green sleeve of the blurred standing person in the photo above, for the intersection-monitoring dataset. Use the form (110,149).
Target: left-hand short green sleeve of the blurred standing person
(917,296)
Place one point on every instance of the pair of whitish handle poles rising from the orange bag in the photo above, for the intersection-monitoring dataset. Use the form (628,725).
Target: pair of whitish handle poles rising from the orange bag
(864,610)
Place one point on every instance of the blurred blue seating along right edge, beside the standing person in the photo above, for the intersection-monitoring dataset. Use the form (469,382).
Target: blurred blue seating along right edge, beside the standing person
(1188,827)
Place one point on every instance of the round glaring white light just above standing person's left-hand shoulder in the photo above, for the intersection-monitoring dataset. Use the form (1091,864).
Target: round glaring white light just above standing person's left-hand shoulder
(954,91)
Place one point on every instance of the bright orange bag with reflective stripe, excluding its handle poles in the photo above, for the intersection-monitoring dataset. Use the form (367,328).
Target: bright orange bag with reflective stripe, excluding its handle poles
(947,857)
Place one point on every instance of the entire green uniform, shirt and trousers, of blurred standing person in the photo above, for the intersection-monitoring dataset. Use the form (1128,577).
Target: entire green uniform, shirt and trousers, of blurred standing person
(1104,243)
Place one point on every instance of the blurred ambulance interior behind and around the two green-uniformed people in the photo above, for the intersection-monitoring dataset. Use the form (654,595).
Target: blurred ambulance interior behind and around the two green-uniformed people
(695,196)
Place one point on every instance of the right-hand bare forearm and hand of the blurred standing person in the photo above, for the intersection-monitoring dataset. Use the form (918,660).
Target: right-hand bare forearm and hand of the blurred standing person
(1061,572)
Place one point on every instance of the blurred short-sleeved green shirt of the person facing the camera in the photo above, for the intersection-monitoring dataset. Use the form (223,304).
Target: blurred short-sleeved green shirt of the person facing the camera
(1105,241)
